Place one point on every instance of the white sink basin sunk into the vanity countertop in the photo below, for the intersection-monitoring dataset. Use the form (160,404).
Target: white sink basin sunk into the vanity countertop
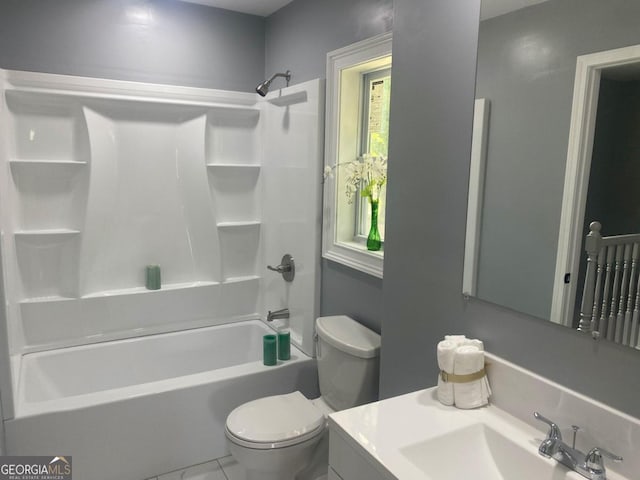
(477,452)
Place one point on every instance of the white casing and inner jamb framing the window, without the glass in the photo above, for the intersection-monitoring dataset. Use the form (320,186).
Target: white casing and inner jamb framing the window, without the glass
(339,218)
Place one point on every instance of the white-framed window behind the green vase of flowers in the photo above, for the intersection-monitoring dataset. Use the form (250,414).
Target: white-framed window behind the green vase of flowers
(357,123)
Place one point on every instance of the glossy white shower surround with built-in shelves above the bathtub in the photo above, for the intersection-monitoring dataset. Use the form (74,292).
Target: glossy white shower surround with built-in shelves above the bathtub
(101,177)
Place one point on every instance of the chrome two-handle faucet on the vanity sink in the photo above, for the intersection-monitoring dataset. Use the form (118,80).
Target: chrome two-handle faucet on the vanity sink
(589,465)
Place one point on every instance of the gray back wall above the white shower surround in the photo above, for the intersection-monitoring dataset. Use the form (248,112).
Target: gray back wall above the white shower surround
(158,41)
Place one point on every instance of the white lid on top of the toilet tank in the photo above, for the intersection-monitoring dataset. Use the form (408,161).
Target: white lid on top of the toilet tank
(349,336)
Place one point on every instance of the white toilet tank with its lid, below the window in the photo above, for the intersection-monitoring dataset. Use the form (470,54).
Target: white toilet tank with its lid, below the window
(348,362)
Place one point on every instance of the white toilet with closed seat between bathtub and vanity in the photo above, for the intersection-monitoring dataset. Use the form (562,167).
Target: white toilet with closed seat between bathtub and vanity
(278,437)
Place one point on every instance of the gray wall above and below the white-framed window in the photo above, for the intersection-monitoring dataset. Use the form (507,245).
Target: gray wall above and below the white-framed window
(298,38)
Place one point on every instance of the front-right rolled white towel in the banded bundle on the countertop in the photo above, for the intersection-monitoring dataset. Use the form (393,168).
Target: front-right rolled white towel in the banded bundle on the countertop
(469,359)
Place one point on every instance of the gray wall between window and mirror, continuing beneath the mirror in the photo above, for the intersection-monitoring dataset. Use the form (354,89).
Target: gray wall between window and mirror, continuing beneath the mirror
(432,101)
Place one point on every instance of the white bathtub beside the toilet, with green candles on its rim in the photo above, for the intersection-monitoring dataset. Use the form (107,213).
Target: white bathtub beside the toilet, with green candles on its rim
(133,409)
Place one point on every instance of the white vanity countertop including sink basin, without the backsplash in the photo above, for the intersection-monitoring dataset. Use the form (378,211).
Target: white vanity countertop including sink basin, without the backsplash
(414,437)
